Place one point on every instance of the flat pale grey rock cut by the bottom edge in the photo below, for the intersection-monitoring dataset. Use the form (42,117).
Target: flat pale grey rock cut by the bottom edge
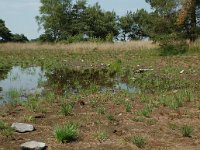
(33,145)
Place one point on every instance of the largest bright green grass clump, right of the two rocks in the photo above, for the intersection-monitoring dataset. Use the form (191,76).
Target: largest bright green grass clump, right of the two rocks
(66,133)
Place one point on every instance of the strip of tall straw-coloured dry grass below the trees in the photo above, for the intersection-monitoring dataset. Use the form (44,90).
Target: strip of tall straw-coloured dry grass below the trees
(79,47)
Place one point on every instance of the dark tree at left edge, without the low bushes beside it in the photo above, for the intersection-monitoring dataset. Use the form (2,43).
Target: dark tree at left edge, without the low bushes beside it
(5,33)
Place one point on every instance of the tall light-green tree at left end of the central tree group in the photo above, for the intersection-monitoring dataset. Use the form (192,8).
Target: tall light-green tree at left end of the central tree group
(55,18)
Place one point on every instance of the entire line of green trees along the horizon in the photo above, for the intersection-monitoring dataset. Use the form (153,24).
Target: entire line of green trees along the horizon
(66,20)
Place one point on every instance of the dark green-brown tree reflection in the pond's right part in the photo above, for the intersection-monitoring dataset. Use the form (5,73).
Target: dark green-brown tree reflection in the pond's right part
(76,80)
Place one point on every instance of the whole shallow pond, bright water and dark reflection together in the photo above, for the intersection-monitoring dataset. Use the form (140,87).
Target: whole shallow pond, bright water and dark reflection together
(19,83)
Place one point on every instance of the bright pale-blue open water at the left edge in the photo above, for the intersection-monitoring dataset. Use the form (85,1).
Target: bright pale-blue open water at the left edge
(18,83)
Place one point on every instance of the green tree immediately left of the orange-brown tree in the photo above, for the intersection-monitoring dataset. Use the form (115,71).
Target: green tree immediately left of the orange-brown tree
(161,23)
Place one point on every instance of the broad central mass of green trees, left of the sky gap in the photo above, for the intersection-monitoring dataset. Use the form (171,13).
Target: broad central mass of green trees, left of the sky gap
(63,19)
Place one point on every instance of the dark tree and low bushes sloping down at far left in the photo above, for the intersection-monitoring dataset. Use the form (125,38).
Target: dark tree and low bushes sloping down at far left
(7,36)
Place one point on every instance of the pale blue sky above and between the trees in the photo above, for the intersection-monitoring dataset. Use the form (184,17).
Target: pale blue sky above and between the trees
(19,15)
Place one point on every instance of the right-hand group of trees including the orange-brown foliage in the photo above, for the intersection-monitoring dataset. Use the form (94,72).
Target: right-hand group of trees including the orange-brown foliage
(178,18)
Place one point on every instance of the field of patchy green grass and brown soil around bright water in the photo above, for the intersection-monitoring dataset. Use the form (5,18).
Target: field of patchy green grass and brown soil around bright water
(74,113)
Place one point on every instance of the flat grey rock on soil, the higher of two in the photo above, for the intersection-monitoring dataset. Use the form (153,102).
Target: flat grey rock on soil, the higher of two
(22,127)
